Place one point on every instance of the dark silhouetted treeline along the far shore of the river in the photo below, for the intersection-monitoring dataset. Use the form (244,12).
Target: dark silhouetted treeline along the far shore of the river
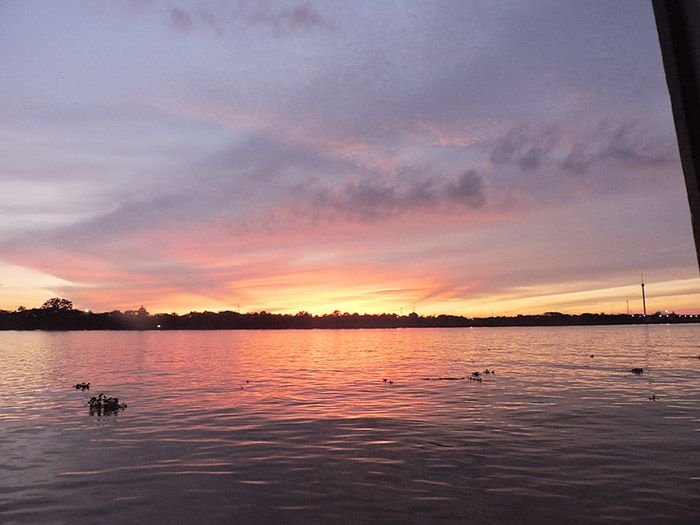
(67,318)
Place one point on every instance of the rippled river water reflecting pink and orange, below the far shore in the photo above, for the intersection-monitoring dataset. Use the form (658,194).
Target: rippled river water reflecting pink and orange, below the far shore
(299,426)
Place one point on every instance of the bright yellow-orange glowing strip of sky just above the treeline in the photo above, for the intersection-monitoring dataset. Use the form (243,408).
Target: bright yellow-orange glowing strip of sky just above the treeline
(674,296)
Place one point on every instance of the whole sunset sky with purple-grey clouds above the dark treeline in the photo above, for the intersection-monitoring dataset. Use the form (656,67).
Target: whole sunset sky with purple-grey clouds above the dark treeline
(470,158)
